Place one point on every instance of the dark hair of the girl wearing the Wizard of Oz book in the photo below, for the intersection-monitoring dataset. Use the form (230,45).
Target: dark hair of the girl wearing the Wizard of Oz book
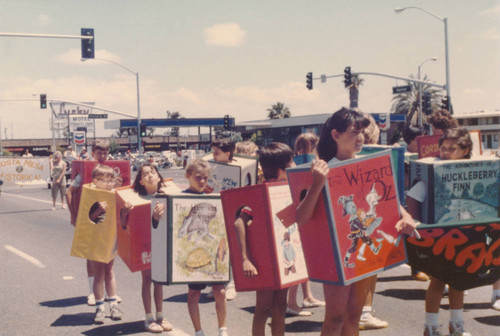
(339,121)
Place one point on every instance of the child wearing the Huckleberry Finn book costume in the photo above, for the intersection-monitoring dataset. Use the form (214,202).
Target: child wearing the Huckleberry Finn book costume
(454,144)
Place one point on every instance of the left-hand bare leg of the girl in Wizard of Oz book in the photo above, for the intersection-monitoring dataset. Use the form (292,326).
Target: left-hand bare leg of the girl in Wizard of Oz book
(336,298)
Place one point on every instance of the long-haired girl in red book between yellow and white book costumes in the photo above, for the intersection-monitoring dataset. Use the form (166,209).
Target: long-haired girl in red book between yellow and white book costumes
(148,182)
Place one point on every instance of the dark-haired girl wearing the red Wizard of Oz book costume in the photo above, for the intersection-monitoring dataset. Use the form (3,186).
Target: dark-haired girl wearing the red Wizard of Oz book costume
(341,138)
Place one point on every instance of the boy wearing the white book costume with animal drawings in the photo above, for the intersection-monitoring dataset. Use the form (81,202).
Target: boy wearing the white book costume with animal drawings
(197,172)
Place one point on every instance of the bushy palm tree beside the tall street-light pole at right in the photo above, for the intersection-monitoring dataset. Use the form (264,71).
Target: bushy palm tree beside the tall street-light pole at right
(408,103)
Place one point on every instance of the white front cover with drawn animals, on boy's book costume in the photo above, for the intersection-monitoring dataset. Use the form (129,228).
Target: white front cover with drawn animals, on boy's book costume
(200,251)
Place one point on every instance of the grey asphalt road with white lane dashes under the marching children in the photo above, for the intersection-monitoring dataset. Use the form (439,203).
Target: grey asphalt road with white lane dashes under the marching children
(43,289)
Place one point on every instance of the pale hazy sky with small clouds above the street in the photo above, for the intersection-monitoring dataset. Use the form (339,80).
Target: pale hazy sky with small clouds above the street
(211,58)
